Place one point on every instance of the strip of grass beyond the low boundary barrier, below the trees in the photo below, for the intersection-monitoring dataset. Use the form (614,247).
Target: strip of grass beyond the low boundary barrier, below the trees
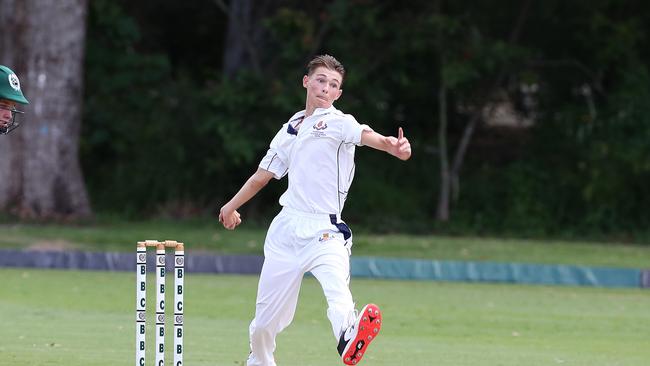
(203,235)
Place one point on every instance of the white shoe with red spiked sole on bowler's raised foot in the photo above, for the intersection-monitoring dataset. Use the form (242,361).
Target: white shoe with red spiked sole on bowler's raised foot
(355,340)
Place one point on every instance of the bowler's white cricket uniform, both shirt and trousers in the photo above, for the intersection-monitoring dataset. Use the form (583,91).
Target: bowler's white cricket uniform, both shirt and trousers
(308,235)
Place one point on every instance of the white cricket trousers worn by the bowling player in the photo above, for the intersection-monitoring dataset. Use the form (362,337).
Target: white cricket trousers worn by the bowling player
(297,243)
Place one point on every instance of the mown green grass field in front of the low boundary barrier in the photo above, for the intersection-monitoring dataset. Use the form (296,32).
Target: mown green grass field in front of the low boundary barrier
(76,318)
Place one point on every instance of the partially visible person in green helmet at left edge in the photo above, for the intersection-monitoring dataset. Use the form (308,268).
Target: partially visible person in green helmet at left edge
(10,96)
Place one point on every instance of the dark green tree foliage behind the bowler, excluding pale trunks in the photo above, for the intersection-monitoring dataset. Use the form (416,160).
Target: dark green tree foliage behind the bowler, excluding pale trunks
(166,130)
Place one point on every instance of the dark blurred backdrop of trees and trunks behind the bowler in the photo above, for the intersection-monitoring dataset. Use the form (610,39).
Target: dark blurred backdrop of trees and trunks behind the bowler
(527,118)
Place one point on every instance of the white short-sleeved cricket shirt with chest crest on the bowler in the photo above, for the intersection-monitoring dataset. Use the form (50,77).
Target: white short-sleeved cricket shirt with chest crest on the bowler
(318,154)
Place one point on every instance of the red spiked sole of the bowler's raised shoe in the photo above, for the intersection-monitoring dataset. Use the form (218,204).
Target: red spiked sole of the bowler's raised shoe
(368,328)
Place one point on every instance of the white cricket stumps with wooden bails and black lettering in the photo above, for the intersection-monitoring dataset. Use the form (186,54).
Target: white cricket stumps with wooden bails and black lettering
(141,296)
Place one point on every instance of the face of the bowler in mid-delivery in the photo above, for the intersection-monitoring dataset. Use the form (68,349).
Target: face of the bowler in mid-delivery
(323,87)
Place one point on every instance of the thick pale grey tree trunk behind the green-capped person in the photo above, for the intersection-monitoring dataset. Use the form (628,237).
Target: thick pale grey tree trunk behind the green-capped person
(44,43)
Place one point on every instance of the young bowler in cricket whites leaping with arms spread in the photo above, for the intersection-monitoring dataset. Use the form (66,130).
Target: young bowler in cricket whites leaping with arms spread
(315,148)
